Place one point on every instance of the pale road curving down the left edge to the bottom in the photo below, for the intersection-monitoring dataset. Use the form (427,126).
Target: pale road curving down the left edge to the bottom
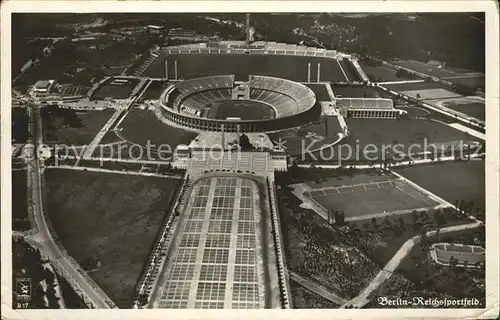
(43,239)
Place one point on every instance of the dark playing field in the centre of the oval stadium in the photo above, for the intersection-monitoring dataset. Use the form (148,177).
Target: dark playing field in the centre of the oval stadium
(243,109)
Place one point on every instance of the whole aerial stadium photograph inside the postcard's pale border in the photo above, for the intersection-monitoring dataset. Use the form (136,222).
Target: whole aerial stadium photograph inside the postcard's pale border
(248,160)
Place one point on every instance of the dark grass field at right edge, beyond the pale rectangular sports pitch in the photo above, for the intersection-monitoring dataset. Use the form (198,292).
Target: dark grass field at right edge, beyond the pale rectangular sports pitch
(451,180)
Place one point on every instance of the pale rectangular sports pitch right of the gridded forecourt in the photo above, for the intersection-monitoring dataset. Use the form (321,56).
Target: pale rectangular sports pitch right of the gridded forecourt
(362,199)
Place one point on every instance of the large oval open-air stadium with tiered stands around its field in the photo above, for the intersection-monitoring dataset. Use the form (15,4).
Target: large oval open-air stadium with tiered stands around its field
(188,103)
